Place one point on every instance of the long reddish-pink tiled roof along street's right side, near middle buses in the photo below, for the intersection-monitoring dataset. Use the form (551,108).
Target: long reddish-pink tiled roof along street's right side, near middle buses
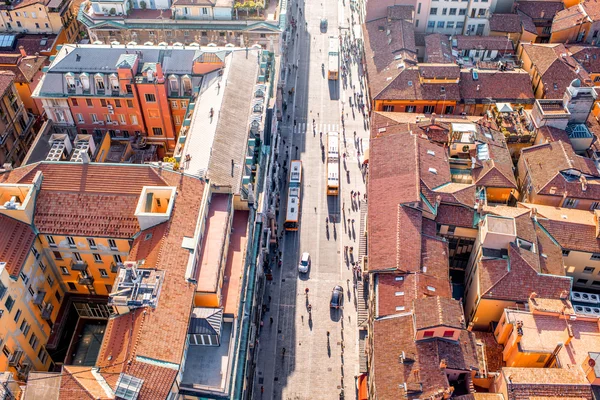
(401,164)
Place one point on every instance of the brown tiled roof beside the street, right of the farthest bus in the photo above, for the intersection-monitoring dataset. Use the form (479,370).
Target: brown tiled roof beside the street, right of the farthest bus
(383,56)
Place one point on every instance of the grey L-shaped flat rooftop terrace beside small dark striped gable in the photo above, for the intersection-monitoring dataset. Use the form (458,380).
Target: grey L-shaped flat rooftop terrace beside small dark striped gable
(207,367)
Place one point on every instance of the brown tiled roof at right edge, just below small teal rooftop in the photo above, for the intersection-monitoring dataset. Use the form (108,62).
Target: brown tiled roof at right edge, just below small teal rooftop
(544,164)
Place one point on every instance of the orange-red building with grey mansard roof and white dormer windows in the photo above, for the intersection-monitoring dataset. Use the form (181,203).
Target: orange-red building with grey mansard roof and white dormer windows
(125,92)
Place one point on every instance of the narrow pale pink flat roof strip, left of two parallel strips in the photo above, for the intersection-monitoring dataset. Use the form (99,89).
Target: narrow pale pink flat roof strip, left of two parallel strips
(214,241)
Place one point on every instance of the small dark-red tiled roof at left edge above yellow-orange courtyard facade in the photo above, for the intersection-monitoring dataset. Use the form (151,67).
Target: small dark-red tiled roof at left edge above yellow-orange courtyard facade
(16,239)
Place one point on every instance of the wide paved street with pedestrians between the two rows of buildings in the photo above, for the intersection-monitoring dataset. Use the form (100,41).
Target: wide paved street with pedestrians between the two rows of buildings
(315,356)
